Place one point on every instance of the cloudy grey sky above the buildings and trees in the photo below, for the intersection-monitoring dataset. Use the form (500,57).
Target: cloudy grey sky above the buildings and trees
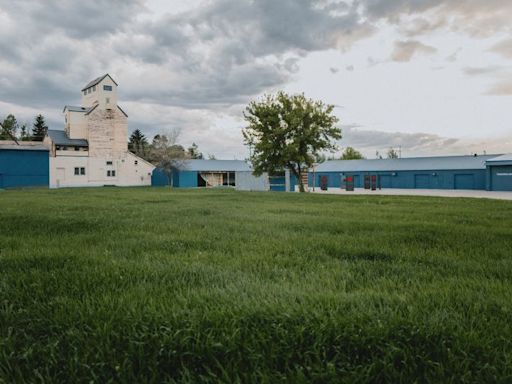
(431,76)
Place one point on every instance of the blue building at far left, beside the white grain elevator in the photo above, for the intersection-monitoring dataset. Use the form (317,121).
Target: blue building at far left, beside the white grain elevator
(23,165)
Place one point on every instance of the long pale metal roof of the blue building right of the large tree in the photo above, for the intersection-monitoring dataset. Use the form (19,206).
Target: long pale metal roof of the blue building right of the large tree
(406,164)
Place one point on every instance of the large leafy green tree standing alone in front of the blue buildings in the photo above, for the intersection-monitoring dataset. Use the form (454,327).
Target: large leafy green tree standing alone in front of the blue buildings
(288,132)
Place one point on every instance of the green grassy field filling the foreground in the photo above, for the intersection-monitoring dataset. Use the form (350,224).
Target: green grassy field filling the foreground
(152,285)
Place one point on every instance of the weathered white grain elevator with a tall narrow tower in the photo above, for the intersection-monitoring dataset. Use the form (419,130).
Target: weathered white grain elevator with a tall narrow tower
(93,148)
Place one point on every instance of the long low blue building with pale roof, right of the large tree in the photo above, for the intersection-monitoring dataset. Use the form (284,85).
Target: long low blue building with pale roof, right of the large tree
(447,172)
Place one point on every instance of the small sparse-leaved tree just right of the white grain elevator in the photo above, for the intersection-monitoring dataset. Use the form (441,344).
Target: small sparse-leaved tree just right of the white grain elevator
(167,155)
